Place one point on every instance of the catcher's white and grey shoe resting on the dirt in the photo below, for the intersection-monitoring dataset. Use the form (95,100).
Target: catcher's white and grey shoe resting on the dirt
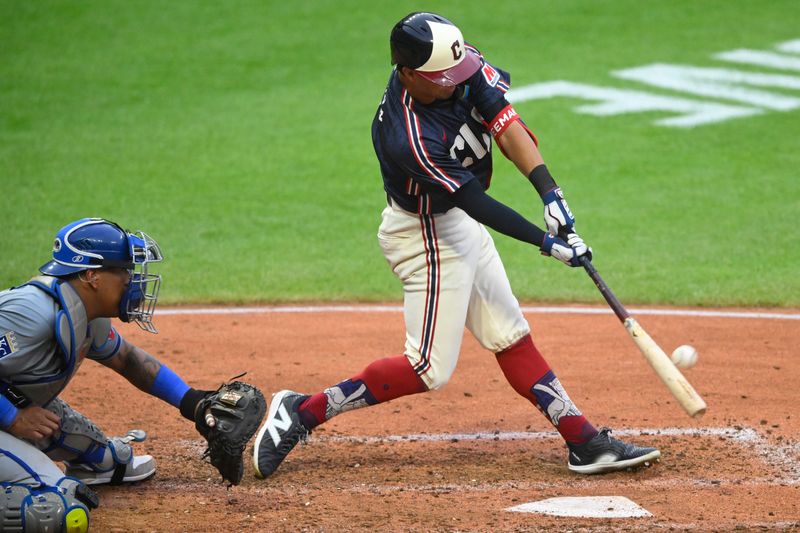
(119,464)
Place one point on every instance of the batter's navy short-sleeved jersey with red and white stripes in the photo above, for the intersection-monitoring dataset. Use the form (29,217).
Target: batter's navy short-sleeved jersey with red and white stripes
(426,152)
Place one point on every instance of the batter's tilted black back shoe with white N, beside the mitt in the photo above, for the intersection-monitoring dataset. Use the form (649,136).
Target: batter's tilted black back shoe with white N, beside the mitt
(280,433)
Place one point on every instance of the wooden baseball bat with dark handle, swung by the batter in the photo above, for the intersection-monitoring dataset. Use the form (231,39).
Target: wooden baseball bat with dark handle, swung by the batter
(664,368)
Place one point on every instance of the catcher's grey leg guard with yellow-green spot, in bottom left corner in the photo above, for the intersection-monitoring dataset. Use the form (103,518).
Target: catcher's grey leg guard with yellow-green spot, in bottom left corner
(63,508)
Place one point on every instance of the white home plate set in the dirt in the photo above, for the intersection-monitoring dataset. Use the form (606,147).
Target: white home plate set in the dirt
(584,507)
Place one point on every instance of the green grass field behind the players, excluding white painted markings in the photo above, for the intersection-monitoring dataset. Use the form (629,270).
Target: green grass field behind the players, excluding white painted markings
(237,135)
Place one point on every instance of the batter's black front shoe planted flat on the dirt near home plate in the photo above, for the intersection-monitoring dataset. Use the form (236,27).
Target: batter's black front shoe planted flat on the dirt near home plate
(603,453)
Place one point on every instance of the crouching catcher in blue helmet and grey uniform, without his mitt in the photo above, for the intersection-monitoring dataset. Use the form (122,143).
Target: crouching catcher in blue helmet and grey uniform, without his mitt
(48,326)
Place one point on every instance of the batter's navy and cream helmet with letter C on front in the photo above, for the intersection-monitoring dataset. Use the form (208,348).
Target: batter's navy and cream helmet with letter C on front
(434,47)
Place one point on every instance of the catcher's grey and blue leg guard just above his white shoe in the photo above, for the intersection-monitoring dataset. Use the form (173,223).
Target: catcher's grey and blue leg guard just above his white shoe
(77,439)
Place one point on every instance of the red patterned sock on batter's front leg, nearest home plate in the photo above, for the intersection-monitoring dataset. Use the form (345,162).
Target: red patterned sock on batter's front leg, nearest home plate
(531,376)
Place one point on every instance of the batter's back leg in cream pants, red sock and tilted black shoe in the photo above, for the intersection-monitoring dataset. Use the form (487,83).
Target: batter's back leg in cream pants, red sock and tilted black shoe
(435,257)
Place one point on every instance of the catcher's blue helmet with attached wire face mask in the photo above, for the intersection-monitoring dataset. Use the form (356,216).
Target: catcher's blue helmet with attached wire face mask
(93,243)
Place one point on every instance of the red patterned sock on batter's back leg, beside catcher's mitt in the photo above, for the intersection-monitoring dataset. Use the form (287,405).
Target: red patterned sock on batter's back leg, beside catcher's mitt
(382,380)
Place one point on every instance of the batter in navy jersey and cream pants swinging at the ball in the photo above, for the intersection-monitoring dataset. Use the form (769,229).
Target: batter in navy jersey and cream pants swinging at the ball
(432,134)
